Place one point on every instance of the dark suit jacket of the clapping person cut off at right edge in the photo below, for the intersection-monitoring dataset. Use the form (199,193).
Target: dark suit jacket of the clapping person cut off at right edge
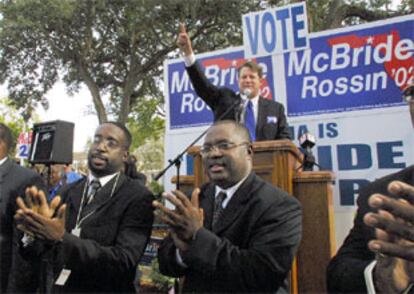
(345,273)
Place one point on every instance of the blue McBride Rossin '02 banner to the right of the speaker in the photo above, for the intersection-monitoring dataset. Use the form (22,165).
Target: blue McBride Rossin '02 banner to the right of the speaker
(359,69)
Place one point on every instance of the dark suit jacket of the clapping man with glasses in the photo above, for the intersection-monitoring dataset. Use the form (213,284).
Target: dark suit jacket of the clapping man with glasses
(252,248)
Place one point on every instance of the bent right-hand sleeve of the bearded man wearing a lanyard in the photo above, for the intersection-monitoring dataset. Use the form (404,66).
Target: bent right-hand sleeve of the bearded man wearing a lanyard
(120,259)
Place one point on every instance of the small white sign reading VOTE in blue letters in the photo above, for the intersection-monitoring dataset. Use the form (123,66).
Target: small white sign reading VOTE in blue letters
(275,30)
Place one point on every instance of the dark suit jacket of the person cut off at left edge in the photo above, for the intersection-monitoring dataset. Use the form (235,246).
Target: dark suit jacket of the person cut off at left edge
(13,181)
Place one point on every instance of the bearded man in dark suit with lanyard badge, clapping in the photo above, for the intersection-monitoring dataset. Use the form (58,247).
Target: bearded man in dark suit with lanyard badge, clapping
(100,233)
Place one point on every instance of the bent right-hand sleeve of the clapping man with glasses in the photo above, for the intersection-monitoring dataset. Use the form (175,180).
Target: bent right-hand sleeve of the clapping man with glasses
(263,266)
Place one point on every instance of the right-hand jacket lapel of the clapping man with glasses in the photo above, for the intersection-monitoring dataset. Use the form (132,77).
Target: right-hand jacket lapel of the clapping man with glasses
(234,207)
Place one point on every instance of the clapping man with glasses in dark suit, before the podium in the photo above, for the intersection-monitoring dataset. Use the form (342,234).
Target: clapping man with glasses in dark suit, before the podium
(237,233)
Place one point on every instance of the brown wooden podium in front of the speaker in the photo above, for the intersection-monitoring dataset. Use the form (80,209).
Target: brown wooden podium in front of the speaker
(278,162)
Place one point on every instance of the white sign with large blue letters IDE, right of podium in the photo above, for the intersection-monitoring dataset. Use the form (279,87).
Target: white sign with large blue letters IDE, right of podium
(360,148)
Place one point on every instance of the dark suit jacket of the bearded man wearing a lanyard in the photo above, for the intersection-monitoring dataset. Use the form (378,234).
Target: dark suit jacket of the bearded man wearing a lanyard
(112,239)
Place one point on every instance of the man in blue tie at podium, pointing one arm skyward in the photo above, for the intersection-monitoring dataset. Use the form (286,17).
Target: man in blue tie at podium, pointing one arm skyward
(265,119)
